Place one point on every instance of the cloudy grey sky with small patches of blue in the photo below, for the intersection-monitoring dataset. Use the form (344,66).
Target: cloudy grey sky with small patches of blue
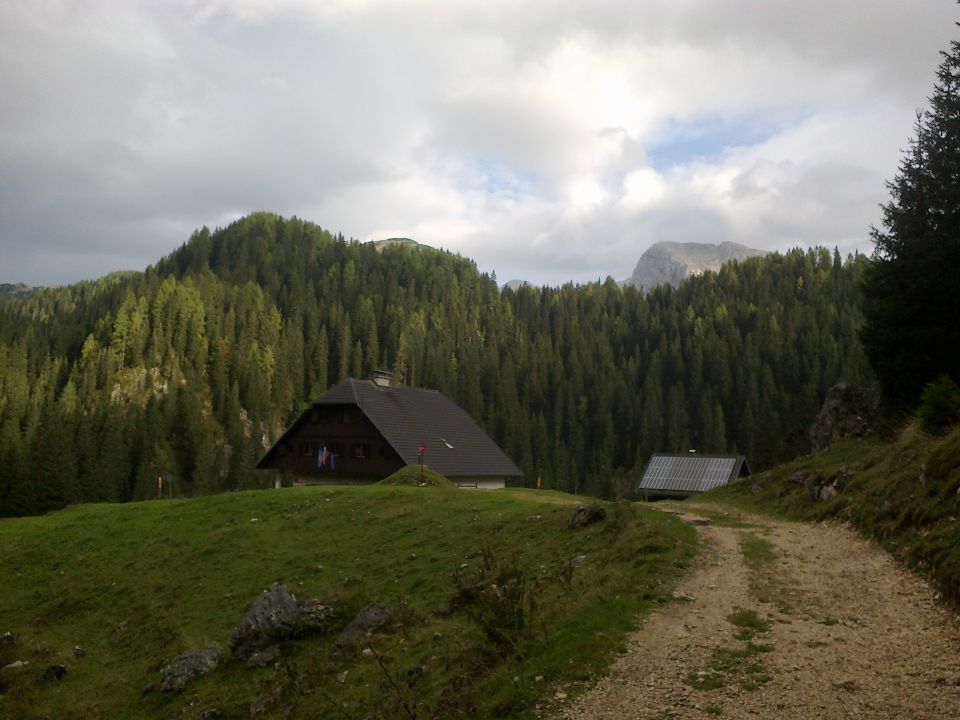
(548,140)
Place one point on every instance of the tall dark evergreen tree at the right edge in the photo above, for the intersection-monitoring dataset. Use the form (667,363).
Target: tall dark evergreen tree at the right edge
(912,286)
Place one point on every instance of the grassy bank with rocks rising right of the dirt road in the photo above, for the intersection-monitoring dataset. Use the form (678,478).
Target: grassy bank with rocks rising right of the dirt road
(904,494)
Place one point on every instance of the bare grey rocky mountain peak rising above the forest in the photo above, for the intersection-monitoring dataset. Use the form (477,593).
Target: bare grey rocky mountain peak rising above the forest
(670,262)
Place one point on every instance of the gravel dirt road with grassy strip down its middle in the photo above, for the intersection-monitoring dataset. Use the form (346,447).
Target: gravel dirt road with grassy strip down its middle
(785,620)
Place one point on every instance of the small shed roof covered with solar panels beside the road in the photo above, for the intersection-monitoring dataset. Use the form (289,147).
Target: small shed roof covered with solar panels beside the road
(691,473)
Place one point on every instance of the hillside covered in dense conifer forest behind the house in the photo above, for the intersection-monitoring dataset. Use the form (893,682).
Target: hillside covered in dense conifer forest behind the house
(191,368)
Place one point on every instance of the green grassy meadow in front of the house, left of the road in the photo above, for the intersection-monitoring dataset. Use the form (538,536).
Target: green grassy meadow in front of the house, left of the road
(112,592)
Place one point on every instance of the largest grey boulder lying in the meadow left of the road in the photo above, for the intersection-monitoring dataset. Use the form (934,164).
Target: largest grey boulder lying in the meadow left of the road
(276,615)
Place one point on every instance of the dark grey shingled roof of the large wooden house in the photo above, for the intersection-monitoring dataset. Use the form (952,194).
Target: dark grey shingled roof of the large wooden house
(409,418)
